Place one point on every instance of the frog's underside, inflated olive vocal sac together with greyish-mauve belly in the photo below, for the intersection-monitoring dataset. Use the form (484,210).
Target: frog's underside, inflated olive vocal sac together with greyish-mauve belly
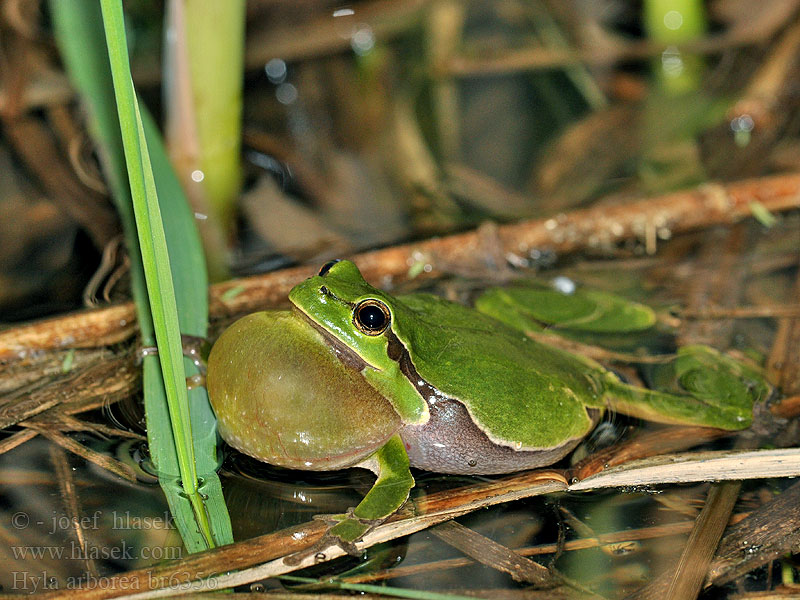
(311,410)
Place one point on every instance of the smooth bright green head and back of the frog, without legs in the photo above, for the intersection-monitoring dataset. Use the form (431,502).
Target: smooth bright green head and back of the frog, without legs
(521,394)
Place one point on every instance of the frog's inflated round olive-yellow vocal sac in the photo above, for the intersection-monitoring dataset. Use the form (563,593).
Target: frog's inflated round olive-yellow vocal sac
(281,395)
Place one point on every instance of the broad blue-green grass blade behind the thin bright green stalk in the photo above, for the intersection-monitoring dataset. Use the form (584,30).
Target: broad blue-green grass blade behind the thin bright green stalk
(79,31)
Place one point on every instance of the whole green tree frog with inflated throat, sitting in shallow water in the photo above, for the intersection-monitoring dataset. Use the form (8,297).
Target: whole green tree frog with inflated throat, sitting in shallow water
(353,376)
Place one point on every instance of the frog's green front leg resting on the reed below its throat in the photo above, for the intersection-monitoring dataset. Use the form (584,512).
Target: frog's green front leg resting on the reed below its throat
(390,492)
